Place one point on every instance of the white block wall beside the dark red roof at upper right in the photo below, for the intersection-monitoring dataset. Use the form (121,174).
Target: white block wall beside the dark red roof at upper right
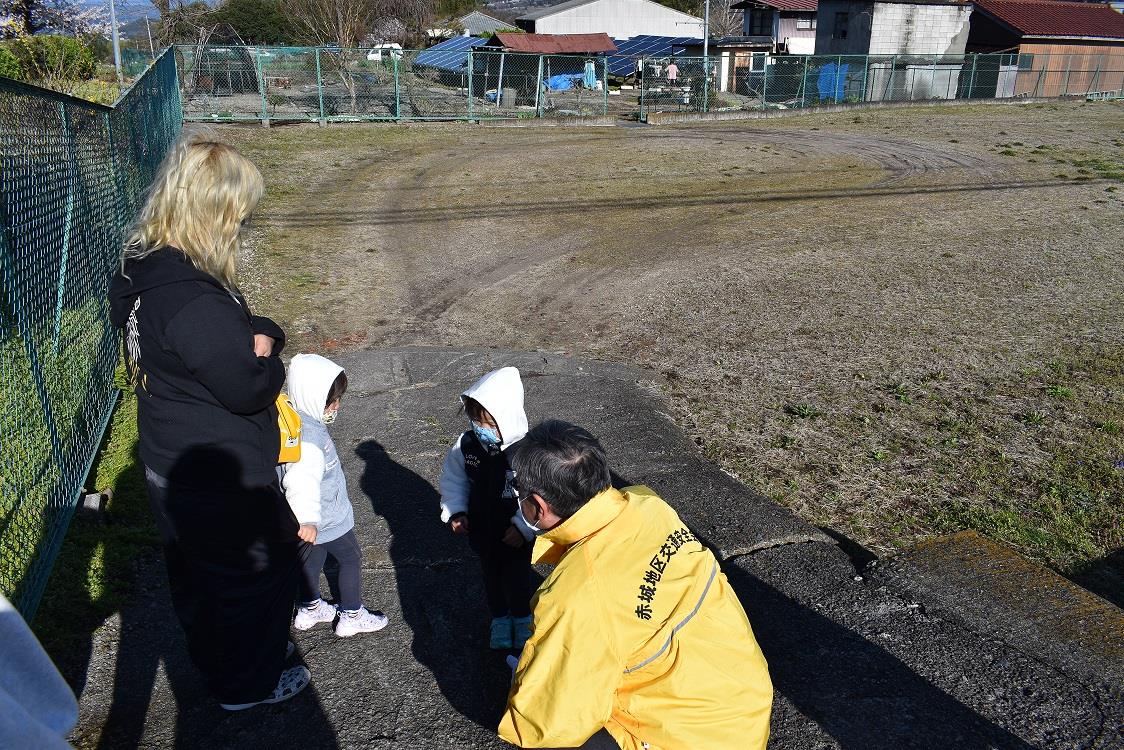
(909,30)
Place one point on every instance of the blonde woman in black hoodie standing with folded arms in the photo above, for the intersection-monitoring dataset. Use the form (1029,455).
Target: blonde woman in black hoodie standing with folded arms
(207,374)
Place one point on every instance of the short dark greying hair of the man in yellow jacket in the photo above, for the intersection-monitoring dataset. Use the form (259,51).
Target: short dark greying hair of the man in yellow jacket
(563,464)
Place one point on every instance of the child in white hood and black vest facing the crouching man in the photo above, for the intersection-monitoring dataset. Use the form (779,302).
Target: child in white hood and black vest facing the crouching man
(477,500)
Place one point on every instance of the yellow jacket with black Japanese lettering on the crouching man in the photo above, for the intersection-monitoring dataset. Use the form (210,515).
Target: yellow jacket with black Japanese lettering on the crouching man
(637,630)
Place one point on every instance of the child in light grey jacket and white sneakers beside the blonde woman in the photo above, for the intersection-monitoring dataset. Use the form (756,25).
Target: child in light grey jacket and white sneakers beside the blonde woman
(318,493)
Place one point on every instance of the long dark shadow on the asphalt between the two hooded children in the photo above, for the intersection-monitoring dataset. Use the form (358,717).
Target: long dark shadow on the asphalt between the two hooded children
(440,590)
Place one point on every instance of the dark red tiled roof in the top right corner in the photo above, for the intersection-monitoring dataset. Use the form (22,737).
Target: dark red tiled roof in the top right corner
(1059,20)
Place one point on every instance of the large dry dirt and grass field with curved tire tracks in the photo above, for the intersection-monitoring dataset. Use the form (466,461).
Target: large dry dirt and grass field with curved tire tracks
(898,323)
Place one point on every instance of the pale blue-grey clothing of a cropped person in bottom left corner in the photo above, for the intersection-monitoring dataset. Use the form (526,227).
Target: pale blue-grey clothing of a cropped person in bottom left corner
(38,709)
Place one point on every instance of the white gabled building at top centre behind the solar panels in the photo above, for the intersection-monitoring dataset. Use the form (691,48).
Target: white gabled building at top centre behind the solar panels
(621,20)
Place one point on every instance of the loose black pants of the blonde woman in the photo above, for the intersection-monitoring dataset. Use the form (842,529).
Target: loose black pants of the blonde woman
(233,572)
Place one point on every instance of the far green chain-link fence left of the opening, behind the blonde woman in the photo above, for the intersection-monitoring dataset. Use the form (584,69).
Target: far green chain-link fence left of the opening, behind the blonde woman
(323,84)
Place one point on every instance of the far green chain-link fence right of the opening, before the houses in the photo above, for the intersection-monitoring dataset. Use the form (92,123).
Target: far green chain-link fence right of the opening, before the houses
(766,82)
